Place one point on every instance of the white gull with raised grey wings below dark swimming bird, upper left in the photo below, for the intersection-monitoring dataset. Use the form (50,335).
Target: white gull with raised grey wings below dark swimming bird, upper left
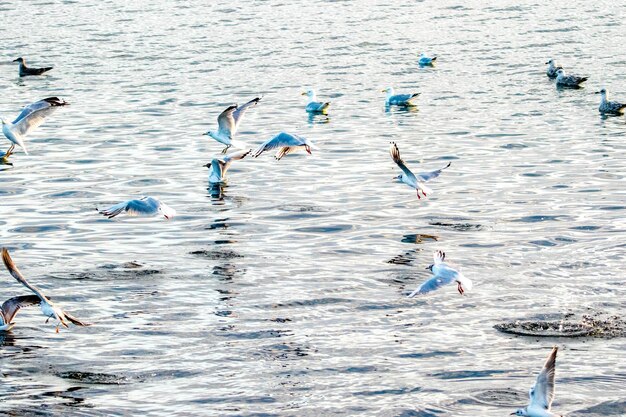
(29,119)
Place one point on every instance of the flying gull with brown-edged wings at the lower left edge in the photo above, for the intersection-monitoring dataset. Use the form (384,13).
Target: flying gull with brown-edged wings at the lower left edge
(48,308)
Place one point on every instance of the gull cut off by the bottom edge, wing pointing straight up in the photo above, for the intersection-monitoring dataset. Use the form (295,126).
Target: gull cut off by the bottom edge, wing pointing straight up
(542,393)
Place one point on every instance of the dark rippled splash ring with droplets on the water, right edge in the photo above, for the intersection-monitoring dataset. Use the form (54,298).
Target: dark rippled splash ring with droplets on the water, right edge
(588,326)
